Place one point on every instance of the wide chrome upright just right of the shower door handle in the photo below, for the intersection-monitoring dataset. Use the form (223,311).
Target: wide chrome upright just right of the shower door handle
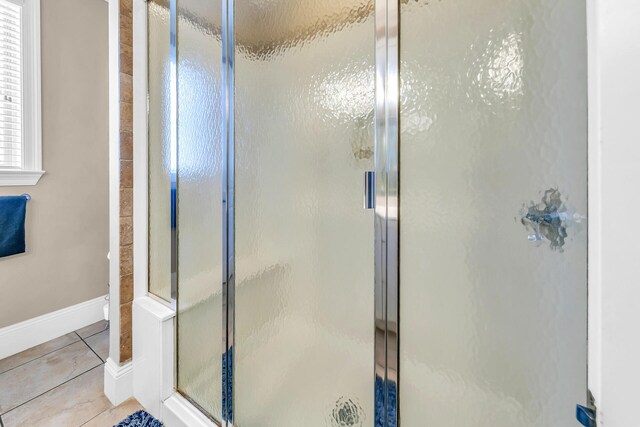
(386,213)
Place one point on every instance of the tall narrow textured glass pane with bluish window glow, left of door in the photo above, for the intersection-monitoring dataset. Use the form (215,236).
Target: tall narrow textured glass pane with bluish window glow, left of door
(199,160)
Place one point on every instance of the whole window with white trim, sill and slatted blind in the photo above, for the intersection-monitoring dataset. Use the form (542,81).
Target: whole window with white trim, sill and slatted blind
(20,135)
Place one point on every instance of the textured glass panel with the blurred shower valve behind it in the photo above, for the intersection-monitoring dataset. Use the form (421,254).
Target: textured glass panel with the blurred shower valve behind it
(493,212)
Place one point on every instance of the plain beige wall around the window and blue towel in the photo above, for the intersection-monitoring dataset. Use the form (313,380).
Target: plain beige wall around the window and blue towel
(67,218)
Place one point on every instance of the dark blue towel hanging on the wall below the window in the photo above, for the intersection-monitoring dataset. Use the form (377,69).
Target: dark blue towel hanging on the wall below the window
(13,210)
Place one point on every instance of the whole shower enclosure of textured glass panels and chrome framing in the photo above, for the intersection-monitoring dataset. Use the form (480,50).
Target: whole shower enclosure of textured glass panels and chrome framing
(371,212)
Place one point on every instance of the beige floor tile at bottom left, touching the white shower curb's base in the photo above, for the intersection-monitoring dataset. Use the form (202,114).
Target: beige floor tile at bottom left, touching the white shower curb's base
(69,405)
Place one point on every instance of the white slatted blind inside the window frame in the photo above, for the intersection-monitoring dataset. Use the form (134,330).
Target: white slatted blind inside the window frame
(11,138)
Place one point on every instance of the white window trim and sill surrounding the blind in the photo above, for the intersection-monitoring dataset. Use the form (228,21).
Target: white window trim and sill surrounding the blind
(31,170)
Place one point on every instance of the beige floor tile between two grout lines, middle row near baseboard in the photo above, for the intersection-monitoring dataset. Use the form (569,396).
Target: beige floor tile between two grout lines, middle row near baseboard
(30,380)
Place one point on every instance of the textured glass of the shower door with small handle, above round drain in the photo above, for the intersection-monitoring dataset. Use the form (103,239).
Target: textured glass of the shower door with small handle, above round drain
(304,101)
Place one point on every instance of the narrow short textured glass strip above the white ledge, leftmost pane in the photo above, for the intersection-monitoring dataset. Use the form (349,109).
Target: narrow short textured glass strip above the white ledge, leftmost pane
(159,122)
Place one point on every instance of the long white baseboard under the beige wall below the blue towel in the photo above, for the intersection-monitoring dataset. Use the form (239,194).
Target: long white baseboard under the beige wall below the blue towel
(32,332)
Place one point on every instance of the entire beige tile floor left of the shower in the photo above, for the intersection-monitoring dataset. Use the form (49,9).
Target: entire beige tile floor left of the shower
(60,383)
